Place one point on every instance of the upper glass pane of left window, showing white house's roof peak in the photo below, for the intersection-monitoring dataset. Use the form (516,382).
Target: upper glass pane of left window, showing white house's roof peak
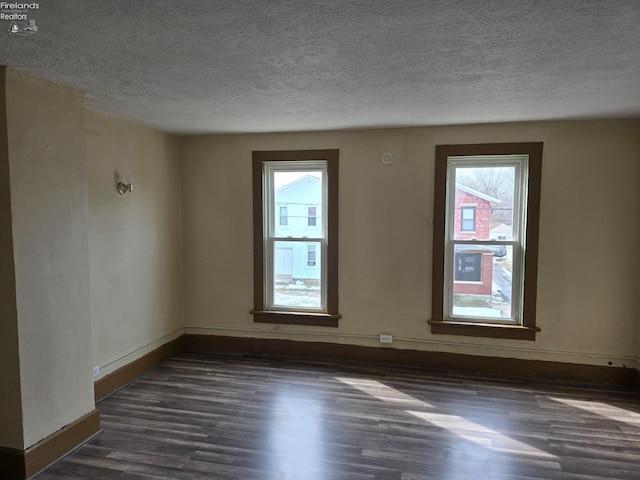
(300,193)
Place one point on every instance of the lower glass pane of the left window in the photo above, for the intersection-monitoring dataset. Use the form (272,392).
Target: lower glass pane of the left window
(296,281)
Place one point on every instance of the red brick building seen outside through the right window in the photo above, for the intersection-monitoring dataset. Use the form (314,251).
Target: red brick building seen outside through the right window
(473,265)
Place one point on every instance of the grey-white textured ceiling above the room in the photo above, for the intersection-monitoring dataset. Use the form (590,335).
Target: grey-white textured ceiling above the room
(285,65)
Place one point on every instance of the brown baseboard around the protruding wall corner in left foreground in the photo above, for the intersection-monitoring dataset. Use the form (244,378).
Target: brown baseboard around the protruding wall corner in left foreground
(22,464)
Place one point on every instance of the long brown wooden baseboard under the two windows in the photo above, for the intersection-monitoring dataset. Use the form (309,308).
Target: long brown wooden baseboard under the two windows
(510,367)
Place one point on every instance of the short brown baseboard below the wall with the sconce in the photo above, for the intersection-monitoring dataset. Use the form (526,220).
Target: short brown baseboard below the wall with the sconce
(121,377)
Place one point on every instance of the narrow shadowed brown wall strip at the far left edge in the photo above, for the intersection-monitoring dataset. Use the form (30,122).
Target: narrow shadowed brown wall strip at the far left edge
(10,398)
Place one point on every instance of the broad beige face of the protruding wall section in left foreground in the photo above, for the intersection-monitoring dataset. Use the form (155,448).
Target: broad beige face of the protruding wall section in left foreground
(50,241)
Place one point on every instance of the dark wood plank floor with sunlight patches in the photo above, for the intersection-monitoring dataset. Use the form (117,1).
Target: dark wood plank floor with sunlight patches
(231,417)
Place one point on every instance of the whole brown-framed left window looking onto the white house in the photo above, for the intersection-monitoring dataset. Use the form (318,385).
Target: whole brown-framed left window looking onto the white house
(286,289)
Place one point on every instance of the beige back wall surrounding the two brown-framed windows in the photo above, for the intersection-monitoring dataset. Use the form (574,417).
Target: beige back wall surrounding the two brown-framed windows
(589,259)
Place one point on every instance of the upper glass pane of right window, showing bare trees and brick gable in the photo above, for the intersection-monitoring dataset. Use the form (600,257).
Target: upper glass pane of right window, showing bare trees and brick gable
(484,199)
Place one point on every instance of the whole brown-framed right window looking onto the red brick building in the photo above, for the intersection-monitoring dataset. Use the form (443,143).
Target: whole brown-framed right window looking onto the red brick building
(485,284)
